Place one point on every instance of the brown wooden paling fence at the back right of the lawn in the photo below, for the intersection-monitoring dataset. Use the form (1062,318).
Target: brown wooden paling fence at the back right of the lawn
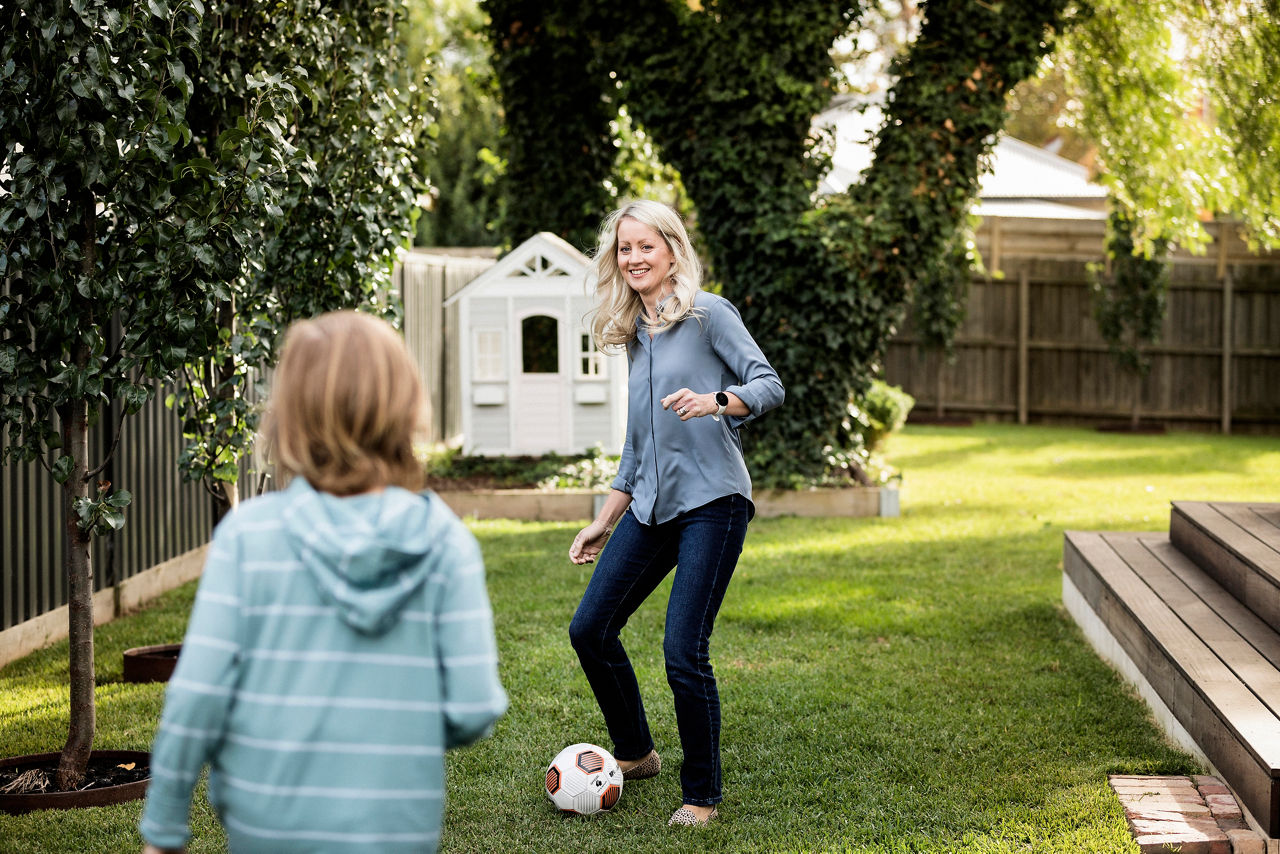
(1030,350)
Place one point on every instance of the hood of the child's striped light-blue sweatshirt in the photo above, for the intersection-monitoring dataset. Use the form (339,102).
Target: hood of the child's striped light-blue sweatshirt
(368,554)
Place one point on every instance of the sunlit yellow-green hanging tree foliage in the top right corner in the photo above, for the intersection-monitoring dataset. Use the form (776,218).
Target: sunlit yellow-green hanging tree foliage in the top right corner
(1180,98)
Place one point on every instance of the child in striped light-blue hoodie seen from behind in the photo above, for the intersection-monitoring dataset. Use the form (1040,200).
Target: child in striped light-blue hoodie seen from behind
(342,638)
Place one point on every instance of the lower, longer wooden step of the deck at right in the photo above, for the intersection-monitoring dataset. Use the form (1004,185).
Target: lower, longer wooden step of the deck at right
(1213,663)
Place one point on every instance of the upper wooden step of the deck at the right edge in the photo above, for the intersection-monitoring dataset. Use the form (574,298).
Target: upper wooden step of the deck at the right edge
(1238,545)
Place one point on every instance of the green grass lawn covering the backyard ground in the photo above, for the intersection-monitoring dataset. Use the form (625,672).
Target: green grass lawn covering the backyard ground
(906,684)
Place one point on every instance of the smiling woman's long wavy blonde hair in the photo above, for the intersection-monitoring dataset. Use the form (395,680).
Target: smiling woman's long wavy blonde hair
(612,319)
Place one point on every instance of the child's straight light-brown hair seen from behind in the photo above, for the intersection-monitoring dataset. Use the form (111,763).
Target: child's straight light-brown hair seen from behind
(348,405)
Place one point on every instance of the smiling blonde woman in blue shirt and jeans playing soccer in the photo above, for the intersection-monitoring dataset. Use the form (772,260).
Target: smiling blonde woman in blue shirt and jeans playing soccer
(683,496)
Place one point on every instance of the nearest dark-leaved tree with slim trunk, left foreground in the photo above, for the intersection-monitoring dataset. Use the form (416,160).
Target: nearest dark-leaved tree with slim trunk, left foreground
(118,243)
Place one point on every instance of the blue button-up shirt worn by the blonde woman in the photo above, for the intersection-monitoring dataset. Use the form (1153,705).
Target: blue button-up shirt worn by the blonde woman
(670,467)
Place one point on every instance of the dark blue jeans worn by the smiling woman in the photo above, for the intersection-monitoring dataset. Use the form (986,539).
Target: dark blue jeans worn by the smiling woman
(705,546)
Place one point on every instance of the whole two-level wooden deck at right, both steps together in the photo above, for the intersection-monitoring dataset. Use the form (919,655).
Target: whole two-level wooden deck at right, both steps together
(1196,614)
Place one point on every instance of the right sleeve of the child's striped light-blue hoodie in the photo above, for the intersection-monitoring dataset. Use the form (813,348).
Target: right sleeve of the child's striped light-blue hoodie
(468,650)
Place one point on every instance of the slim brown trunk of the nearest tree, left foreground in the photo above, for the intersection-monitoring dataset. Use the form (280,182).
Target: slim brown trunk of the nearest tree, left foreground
(80,586)
